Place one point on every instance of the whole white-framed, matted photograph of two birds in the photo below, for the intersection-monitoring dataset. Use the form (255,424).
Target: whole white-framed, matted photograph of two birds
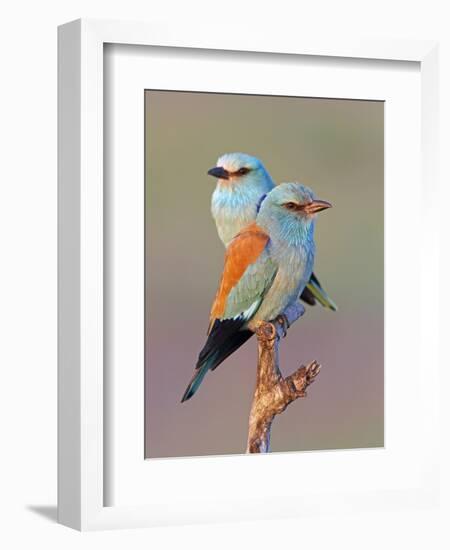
(234,225)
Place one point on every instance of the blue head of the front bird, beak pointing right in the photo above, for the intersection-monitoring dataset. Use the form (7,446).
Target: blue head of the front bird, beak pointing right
(290,208)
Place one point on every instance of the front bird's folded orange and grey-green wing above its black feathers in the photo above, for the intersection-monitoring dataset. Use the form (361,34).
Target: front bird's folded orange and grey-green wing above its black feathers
(247,275)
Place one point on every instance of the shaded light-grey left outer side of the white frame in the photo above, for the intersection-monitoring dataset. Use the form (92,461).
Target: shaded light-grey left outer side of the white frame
(69,350)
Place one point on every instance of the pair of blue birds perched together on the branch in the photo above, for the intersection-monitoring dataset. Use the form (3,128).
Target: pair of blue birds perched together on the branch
(268,232)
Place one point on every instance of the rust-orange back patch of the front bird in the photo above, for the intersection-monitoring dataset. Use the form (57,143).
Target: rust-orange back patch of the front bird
(243,250)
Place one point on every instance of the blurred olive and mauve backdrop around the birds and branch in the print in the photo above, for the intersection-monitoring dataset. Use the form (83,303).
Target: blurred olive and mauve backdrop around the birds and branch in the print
(334,146)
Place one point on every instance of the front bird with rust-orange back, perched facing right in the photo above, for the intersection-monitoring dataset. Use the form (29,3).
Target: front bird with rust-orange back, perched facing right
(267,265)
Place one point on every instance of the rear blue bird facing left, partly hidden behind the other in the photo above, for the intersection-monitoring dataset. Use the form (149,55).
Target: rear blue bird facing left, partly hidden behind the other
(242,185)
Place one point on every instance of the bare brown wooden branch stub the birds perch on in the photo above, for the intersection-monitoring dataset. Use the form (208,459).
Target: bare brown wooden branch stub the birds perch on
(273,393)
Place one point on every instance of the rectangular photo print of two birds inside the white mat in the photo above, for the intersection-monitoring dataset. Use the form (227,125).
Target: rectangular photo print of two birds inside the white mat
(264,274)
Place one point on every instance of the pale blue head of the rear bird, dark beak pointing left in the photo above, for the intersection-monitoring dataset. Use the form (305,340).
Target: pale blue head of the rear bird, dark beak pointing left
(236,169)
